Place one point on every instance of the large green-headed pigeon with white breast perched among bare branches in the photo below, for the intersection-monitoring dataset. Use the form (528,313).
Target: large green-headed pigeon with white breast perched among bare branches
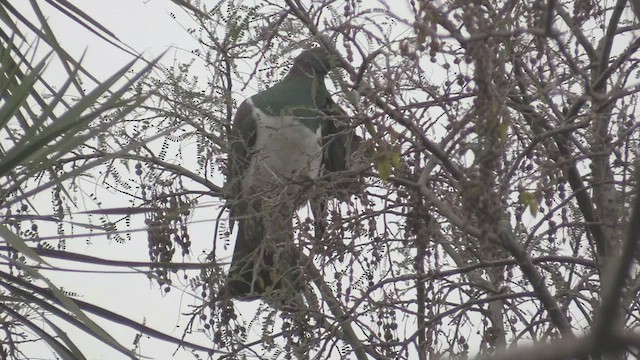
(281,140)
